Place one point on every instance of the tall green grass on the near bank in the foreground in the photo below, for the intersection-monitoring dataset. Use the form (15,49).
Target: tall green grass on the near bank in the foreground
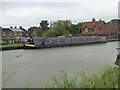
(107,78)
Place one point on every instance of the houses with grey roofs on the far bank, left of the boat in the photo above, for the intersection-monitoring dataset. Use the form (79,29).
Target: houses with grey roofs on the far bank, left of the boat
(13,34)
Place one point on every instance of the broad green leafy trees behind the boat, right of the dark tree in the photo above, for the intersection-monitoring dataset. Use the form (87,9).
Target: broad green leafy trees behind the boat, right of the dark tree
(62,28)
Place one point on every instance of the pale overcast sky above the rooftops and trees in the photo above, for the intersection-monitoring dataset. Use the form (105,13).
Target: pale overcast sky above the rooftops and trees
(29,13)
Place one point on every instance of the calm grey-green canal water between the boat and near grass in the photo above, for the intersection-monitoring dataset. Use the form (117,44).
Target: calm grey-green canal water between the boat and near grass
(35,68)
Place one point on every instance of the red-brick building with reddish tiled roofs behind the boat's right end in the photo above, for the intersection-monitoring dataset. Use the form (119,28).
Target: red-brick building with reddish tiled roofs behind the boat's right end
(100,28)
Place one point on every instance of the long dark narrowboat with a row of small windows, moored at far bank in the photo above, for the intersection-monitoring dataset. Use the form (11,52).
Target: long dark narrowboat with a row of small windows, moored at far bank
(40,42)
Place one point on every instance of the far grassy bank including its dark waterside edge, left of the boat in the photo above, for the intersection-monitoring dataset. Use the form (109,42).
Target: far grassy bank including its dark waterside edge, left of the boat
(11,46)
